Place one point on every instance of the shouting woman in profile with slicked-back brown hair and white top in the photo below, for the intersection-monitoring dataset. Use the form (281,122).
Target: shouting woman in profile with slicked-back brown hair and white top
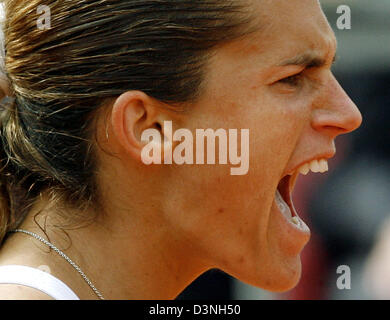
(100,74)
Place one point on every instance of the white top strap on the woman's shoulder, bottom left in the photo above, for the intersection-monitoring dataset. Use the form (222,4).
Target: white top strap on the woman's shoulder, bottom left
(36,279)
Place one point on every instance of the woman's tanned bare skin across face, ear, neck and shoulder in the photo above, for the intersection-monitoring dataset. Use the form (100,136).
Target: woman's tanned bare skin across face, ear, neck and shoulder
(164,225)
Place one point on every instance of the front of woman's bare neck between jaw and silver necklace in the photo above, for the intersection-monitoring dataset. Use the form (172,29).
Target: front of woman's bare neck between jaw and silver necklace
(138,262)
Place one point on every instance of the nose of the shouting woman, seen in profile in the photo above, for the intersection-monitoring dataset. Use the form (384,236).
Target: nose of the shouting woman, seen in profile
(336,113)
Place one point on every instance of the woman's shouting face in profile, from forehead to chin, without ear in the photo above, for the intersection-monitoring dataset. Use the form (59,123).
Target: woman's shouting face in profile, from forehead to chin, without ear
(278,84)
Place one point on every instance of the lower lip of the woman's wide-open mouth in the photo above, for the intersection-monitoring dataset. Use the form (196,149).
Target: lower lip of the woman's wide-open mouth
(293,237)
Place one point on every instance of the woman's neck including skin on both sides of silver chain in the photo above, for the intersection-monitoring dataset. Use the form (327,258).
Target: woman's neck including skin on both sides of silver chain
(124,260)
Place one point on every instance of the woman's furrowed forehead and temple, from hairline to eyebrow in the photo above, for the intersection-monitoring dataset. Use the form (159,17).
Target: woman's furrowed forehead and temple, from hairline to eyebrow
(288,31)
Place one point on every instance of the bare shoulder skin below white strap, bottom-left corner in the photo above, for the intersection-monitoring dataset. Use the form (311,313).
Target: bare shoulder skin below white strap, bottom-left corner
(19,292)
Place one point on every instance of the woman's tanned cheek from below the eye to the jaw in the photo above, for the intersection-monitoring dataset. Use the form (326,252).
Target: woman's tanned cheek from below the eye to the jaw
(216,210)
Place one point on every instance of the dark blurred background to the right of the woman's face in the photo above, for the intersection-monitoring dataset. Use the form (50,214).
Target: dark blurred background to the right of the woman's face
(348,209)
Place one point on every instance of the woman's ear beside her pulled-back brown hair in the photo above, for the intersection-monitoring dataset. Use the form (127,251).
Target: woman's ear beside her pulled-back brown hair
(132,114)
